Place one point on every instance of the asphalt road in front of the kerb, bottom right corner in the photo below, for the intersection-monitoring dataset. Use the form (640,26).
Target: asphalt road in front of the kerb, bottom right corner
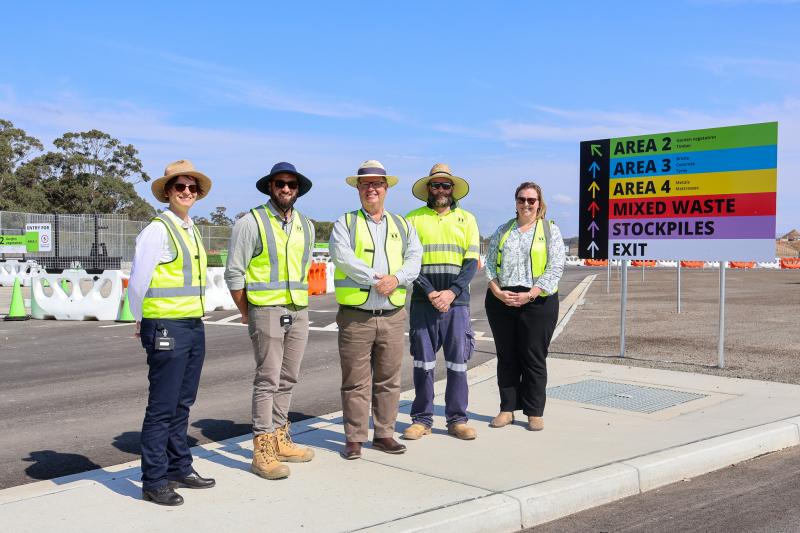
(760,495)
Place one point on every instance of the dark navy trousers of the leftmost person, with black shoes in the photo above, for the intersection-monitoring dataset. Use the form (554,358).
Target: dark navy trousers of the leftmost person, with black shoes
(174,376)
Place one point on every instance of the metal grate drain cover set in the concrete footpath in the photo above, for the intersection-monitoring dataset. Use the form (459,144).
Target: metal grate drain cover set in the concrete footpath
(621,395)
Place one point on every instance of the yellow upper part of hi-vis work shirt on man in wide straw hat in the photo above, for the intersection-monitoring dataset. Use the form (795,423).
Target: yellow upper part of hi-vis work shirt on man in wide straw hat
(447,240)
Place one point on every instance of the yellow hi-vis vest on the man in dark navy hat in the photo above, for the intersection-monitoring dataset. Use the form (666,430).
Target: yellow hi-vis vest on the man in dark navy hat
(279,274)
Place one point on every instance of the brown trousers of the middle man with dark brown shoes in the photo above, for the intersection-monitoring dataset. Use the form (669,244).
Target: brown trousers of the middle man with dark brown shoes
(371,349)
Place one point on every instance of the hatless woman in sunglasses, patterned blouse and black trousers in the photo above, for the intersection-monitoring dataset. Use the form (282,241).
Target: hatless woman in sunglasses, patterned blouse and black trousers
(524,264)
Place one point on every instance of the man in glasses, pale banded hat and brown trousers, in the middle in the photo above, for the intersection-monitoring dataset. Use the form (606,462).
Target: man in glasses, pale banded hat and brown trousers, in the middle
(376,254)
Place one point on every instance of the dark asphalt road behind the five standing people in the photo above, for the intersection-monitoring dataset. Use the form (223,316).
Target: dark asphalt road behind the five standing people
(72,394)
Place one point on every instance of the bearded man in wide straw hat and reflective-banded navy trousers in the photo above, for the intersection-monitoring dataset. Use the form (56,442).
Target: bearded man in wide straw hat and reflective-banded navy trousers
(440,300)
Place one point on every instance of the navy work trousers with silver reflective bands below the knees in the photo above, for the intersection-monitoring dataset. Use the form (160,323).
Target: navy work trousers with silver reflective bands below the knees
(451,332)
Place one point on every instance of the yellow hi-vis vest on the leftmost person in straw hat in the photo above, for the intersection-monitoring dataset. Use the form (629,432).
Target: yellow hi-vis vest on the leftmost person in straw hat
(178,286)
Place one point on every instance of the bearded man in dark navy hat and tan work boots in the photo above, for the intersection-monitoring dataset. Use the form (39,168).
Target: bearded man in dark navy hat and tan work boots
(267,273)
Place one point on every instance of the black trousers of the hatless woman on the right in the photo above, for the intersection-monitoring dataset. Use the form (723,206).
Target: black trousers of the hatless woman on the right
(522,337)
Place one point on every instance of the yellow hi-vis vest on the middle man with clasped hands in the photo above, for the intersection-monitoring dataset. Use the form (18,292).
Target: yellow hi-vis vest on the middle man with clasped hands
(348,292)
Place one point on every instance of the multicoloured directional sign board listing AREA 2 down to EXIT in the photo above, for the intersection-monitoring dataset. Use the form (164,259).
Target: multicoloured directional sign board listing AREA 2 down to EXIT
(697,195)
